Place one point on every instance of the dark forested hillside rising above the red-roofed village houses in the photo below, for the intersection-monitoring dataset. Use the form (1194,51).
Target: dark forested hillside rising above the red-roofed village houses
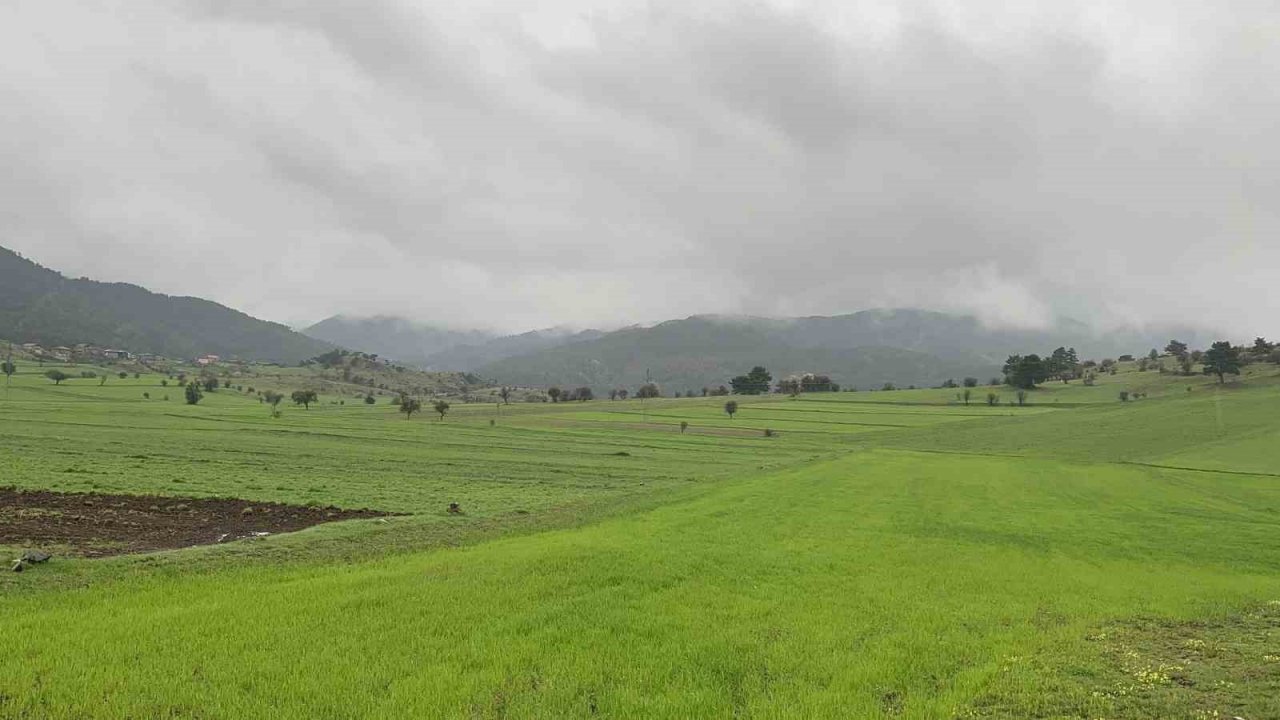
(40,306)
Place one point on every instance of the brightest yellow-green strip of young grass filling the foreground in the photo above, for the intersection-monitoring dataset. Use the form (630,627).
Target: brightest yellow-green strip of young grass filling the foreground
(884,584)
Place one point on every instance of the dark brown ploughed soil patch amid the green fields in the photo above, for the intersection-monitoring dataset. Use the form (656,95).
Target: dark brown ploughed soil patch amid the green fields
(97,526)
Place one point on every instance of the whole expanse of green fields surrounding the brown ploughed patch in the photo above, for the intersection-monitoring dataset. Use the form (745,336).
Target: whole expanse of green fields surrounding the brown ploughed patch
(884,555)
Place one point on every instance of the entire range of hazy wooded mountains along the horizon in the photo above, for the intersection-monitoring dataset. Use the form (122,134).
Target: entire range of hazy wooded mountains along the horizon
(866,349)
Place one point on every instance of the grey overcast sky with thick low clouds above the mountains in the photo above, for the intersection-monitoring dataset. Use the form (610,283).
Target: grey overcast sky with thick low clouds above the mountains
(511,165)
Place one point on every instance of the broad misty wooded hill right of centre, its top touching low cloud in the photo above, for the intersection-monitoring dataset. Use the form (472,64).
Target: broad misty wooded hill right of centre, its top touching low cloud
(863,349)
